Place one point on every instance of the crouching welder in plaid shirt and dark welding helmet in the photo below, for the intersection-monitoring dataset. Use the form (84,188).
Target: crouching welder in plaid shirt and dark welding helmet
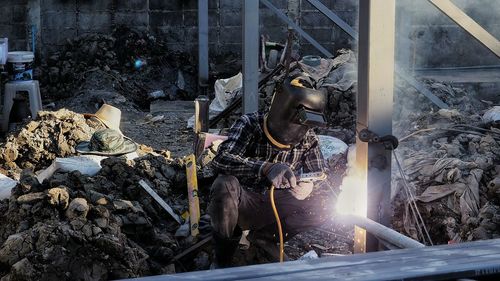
(267,149)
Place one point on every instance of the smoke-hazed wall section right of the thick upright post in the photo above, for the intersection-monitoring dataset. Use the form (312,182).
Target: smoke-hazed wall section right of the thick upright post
(427,38)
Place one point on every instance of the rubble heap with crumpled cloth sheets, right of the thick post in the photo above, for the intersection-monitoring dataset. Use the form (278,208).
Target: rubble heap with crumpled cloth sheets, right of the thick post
(451,160)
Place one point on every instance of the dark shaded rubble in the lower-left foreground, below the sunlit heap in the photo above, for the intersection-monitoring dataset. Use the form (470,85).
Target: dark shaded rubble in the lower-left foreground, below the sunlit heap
(76,227)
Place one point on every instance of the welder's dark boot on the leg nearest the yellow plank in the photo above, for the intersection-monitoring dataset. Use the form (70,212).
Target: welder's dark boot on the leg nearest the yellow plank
(224,249)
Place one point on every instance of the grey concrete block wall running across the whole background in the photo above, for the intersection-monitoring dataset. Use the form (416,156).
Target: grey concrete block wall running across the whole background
(425,38)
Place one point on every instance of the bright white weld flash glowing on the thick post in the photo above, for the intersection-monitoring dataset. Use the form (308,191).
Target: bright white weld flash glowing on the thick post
(352,199)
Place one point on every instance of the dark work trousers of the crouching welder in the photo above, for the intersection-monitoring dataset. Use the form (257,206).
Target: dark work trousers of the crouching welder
(231,205)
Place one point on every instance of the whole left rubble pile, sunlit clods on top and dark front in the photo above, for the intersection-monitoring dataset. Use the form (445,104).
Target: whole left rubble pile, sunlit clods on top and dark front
(75,226)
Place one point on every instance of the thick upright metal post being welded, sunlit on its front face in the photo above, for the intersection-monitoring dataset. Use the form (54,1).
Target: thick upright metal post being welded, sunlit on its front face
(374,108)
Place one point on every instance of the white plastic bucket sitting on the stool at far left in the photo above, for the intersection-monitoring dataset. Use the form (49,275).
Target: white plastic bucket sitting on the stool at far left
(20,66)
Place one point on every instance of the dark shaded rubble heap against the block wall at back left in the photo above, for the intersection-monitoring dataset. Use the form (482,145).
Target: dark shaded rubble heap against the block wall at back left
(132,63)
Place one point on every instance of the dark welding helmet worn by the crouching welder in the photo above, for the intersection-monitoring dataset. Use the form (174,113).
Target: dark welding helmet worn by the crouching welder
(295,108)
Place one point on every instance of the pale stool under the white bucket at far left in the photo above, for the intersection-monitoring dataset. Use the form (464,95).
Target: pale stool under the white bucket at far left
(11,89)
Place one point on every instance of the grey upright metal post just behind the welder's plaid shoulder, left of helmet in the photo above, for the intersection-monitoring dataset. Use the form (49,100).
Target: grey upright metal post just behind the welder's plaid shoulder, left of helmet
(250,55)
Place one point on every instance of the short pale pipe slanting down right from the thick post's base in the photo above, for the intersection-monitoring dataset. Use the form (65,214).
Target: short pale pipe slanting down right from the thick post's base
(383,232)
